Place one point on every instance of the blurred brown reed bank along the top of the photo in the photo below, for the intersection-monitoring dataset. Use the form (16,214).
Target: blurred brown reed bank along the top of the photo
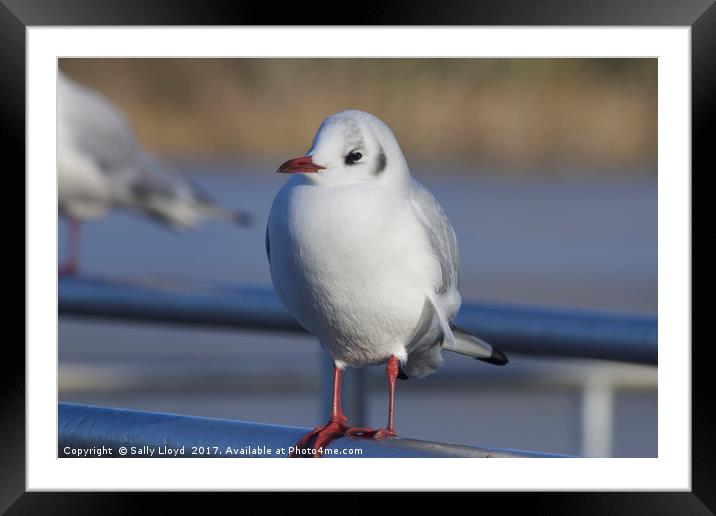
(529,115)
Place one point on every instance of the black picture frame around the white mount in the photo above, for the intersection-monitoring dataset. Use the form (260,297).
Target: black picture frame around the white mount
(17,15)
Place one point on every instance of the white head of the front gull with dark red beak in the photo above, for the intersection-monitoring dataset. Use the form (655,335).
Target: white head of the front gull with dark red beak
(349,147)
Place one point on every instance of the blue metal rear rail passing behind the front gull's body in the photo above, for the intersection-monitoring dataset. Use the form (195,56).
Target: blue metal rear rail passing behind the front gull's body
(522,330)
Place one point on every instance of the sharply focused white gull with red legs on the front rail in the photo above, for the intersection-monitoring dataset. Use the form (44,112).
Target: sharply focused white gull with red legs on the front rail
(365,259)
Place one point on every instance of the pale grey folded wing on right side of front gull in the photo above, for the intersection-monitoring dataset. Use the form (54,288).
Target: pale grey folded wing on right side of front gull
(441,236)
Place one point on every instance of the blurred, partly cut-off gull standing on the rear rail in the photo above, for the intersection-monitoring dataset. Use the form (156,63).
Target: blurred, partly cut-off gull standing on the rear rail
(101,166)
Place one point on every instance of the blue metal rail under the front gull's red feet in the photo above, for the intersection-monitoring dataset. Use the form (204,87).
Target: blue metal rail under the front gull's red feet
(87,431)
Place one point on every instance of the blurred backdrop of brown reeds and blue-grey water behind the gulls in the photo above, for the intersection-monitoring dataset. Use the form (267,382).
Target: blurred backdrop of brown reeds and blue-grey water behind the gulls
(546,168)
